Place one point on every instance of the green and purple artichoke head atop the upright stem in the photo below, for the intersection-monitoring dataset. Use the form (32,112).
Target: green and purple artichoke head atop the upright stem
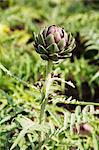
(53,43)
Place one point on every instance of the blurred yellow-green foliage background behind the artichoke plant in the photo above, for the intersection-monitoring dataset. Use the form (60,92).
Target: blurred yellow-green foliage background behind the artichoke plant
(18,21)
